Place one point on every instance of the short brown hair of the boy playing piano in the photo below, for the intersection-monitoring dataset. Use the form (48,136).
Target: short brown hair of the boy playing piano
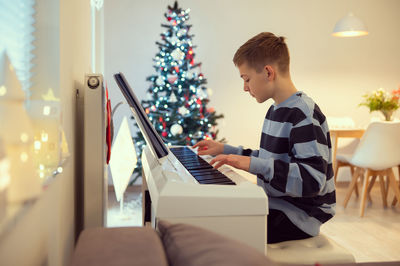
(263,49)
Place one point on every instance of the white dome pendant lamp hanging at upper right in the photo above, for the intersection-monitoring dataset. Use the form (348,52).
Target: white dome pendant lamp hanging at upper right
(350,26)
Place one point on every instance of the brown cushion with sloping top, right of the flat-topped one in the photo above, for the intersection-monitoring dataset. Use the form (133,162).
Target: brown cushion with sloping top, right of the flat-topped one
(188,245)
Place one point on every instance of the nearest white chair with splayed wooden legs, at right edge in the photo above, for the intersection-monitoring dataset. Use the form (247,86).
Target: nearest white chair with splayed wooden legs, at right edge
(376,154)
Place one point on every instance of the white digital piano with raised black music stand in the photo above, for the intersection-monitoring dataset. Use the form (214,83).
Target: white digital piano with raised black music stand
(181,187)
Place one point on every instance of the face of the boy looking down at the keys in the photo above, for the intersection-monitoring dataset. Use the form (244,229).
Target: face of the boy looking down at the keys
(257,84)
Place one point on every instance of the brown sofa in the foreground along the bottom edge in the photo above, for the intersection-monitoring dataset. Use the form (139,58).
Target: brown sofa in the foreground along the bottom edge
(171,244)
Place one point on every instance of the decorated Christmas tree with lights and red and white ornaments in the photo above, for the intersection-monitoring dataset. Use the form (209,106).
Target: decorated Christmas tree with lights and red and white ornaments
(177,98)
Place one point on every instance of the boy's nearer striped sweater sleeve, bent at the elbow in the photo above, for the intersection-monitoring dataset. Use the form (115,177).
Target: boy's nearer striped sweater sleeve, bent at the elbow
(309,166)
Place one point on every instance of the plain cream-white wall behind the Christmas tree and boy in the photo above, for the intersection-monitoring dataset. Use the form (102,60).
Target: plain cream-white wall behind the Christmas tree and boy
(336,72)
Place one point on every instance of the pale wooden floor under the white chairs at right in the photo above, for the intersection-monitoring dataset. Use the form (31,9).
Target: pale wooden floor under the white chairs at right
(374,237)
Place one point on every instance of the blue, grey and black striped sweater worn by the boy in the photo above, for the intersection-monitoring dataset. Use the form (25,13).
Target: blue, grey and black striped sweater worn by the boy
(294,162)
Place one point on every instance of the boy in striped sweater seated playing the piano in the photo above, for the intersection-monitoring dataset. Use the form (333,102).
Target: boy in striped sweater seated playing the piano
(294,162)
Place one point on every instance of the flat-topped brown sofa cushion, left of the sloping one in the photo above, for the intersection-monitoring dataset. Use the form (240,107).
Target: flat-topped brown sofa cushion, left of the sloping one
(119,247)
